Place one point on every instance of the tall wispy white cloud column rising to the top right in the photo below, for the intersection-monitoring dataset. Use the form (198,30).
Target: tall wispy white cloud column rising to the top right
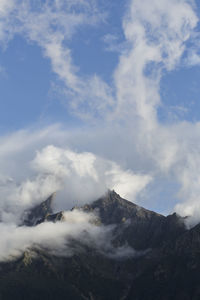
(156,32)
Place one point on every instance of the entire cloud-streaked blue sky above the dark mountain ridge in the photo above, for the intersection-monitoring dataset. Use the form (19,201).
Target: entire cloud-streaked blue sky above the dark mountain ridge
(118,79)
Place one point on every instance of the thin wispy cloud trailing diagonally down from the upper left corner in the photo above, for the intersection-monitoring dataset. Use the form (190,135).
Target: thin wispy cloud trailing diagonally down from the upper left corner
(51,25)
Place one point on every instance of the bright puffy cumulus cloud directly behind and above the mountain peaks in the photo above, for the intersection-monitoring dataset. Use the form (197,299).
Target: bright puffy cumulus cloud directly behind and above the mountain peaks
(78,177)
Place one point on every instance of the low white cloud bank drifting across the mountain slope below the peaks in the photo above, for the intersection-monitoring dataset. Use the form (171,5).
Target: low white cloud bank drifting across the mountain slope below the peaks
(64,238)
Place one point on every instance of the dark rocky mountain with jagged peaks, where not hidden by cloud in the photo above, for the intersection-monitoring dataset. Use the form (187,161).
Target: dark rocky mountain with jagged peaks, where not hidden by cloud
(166,264)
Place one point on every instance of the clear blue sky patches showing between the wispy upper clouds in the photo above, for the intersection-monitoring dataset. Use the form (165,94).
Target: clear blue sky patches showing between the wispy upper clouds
(27,79)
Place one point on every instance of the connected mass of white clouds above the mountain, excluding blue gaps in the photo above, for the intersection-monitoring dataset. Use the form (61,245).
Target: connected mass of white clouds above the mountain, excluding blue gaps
(156,35)
